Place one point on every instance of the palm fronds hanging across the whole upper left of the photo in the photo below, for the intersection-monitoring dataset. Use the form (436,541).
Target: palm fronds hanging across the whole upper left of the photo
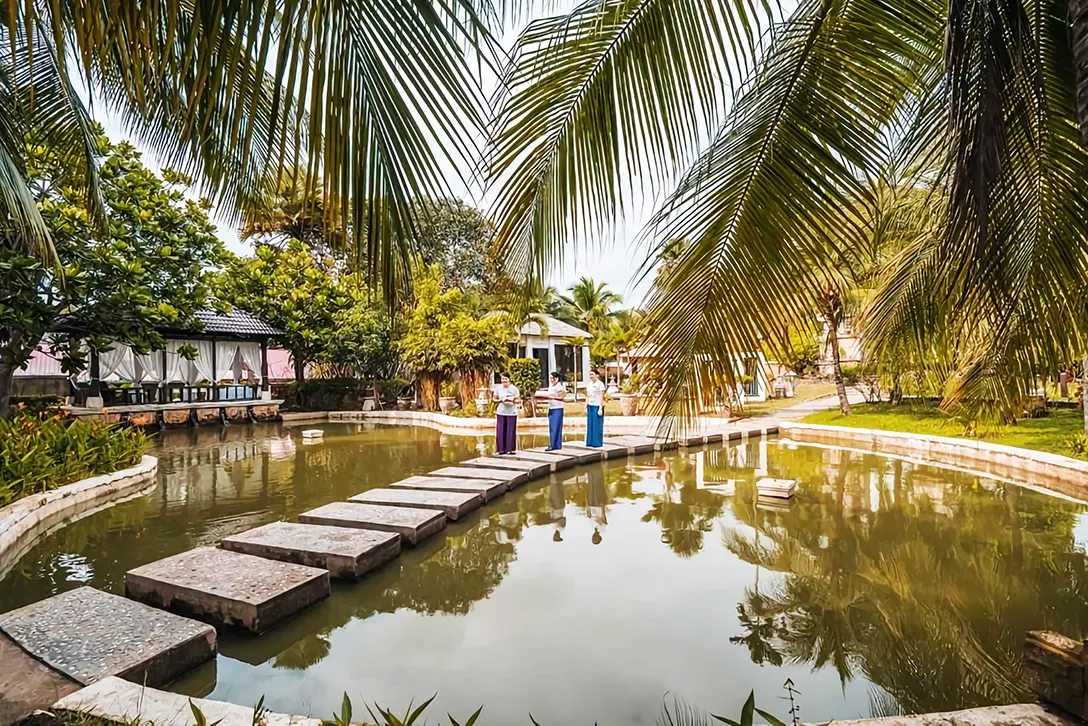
(374,101)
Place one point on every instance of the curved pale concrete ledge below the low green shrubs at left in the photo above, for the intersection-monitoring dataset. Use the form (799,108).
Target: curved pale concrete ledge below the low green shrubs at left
(34,516)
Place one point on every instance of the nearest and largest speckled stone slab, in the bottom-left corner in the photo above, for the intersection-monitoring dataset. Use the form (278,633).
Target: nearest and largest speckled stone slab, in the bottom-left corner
(89,635)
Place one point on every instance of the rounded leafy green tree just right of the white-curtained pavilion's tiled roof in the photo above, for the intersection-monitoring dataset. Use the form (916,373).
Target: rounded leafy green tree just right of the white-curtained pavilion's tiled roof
(291,290)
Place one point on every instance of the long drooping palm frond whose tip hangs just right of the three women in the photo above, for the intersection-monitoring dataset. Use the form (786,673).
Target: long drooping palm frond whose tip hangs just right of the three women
(772,206)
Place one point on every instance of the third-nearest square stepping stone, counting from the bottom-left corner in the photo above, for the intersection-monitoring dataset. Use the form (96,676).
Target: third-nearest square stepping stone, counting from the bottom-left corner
(345,553)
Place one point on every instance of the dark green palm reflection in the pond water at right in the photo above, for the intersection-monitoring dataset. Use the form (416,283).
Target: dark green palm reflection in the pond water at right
(930,601)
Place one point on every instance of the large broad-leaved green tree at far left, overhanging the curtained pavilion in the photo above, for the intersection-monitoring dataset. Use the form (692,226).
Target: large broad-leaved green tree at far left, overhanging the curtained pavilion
(147,268)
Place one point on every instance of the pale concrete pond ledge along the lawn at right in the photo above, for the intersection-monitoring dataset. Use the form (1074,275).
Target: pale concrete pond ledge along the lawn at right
(1059,474)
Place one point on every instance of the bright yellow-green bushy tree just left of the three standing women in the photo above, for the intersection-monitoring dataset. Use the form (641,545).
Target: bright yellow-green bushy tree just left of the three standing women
(439,337)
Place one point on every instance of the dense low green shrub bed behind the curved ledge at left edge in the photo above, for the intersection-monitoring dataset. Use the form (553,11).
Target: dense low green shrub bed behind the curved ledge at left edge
(38,456)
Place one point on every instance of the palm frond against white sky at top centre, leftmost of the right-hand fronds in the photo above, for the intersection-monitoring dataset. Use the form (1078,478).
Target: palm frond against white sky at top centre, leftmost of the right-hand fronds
(615,95)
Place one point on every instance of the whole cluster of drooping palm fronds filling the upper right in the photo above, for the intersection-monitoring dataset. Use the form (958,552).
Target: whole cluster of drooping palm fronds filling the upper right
(982,104)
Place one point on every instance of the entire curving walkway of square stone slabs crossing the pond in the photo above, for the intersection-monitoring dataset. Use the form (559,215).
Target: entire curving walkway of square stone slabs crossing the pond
(258,579)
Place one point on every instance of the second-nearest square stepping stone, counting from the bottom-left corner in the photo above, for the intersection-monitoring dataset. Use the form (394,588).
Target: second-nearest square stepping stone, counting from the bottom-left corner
(228,588)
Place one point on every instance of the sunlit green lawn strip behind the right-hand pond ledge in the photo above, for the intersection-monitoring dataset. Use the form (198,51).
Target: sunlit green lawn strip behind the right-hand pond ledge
(1052,434)
